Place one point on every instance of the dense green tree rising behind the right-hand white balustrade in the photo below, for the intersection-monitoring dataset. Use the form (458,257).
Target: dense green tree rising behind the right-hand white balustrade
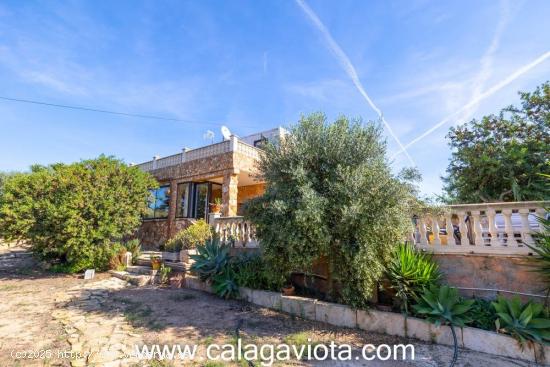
(499,157)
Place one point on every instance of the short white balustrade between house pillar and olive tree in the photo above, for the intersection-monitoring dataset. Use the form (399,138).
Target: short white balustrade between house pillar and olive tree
(236,231)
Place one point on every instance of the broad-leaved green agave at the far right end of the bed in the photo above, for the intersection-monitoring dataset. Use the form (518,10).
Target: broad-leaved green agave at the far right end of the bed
(526,323)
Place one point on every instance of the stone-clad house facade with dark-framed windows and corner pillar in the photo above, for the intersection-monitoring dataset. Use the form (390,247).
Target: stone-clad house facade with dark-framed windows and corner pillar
(190,183)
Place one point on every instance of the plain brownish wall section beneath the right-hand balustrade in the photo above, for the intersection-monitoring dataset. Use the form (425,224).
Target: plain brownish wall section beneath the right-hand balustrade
(507,273)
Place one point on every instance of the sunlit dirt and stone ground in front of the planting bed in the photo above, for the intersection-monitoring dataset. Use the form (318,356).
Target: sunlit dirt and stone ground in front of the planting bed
(100,321)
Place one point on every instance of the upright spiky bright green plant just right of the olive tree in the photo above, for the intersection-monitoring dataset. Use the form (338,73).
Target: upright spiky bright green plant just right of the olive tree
(411,271)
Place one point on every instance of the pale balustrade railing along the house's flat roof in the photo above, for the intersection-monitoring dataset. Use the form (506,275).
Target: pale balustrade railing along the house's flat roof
(187,155)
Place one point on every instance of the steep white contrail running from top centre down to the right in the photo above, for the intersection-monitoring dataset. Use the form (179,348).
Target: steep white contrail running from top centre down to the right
(348,67)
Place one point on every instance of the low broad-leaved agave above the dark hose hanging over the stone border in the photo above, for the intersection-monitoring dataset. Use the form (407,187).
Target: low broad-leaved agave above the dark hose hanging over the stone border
(442,305)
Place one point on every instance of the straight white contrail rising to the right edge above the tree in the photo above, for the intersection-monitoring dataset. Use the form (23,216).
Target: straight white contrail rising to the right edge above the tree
(489,92)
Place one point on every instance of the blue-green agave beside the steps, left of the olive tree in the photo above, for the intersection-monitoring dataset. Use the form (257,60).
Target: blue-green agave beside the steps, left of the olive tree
(211,259)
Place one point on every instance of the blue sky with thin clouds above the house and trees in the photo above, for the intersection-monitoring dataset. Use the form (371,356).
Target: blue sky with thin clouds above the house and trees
(254,65)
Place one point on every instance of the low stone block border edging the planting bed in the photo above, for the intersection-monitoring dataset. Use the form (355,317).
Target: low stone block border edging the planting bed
(385,322)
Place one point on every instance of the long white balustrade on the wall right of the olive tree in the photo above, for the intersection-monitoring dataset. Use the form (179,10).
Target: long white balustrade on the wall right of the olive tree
(488,228)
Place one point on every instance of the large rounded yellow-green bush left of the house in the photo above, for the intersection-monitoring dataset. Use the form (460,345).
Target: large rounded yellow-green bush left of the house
(73,213)
